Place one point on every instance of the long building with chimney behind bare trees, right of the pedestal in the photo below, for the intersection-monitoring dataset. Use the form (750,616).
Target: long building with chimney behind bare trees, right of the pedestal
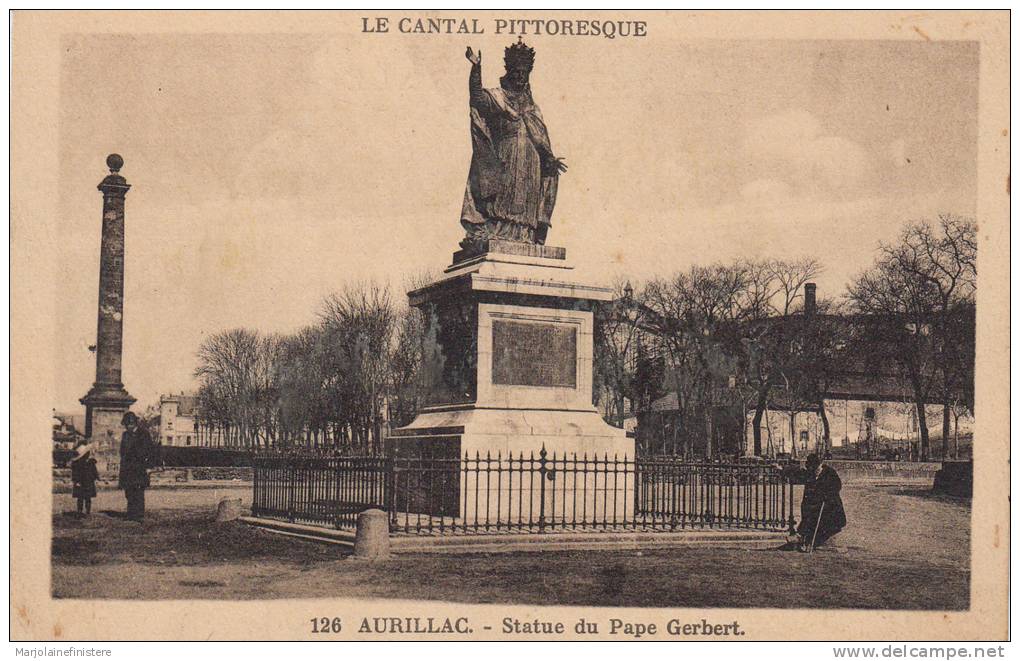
(827,372)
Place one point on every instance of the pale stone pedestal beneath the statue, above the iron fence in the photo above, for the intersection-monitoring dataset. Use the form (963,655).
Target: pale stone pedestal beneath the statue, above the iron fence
(509,364)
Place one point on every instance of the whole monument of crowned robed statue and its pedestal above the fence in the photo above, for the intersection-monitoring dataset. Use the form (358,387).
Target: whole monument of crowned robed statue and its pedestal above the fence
(509,357)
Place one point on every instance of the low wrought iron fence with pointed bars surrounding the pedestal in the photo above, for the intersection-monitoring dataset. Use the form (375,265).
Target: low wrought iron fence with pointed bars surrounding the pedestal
(523,493)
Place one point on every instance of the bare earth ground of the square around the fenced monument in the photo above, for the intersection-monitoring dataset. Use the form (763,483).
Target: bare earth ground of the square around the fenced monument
(903,549)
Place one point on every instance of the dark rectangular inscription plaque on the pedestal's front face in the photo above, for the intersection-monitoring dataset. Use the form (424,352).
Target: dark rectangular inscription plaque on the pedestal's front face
(535,354)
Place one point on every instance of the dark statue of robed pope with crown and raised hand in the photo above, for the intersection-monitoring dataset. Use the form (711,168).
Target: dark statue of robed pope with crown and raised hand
(512,187)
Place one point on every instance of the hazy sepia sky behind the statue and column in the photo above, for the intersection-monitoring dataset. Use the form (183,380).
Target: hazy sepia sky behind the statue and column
(269,171)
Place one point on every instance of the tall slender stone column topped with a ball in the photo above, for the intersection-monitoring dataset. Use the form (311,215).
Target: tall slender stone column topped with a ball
(107,403)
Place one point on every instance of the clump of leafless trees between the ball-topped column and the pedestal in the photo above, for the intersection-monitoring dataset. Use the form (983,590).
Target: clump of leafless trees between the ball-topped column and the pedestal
(337,382)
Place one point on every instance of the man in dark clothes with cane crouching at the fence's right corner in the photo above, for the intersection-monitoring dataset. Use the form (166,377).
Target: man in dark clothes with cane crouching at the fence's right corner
(822,510)
